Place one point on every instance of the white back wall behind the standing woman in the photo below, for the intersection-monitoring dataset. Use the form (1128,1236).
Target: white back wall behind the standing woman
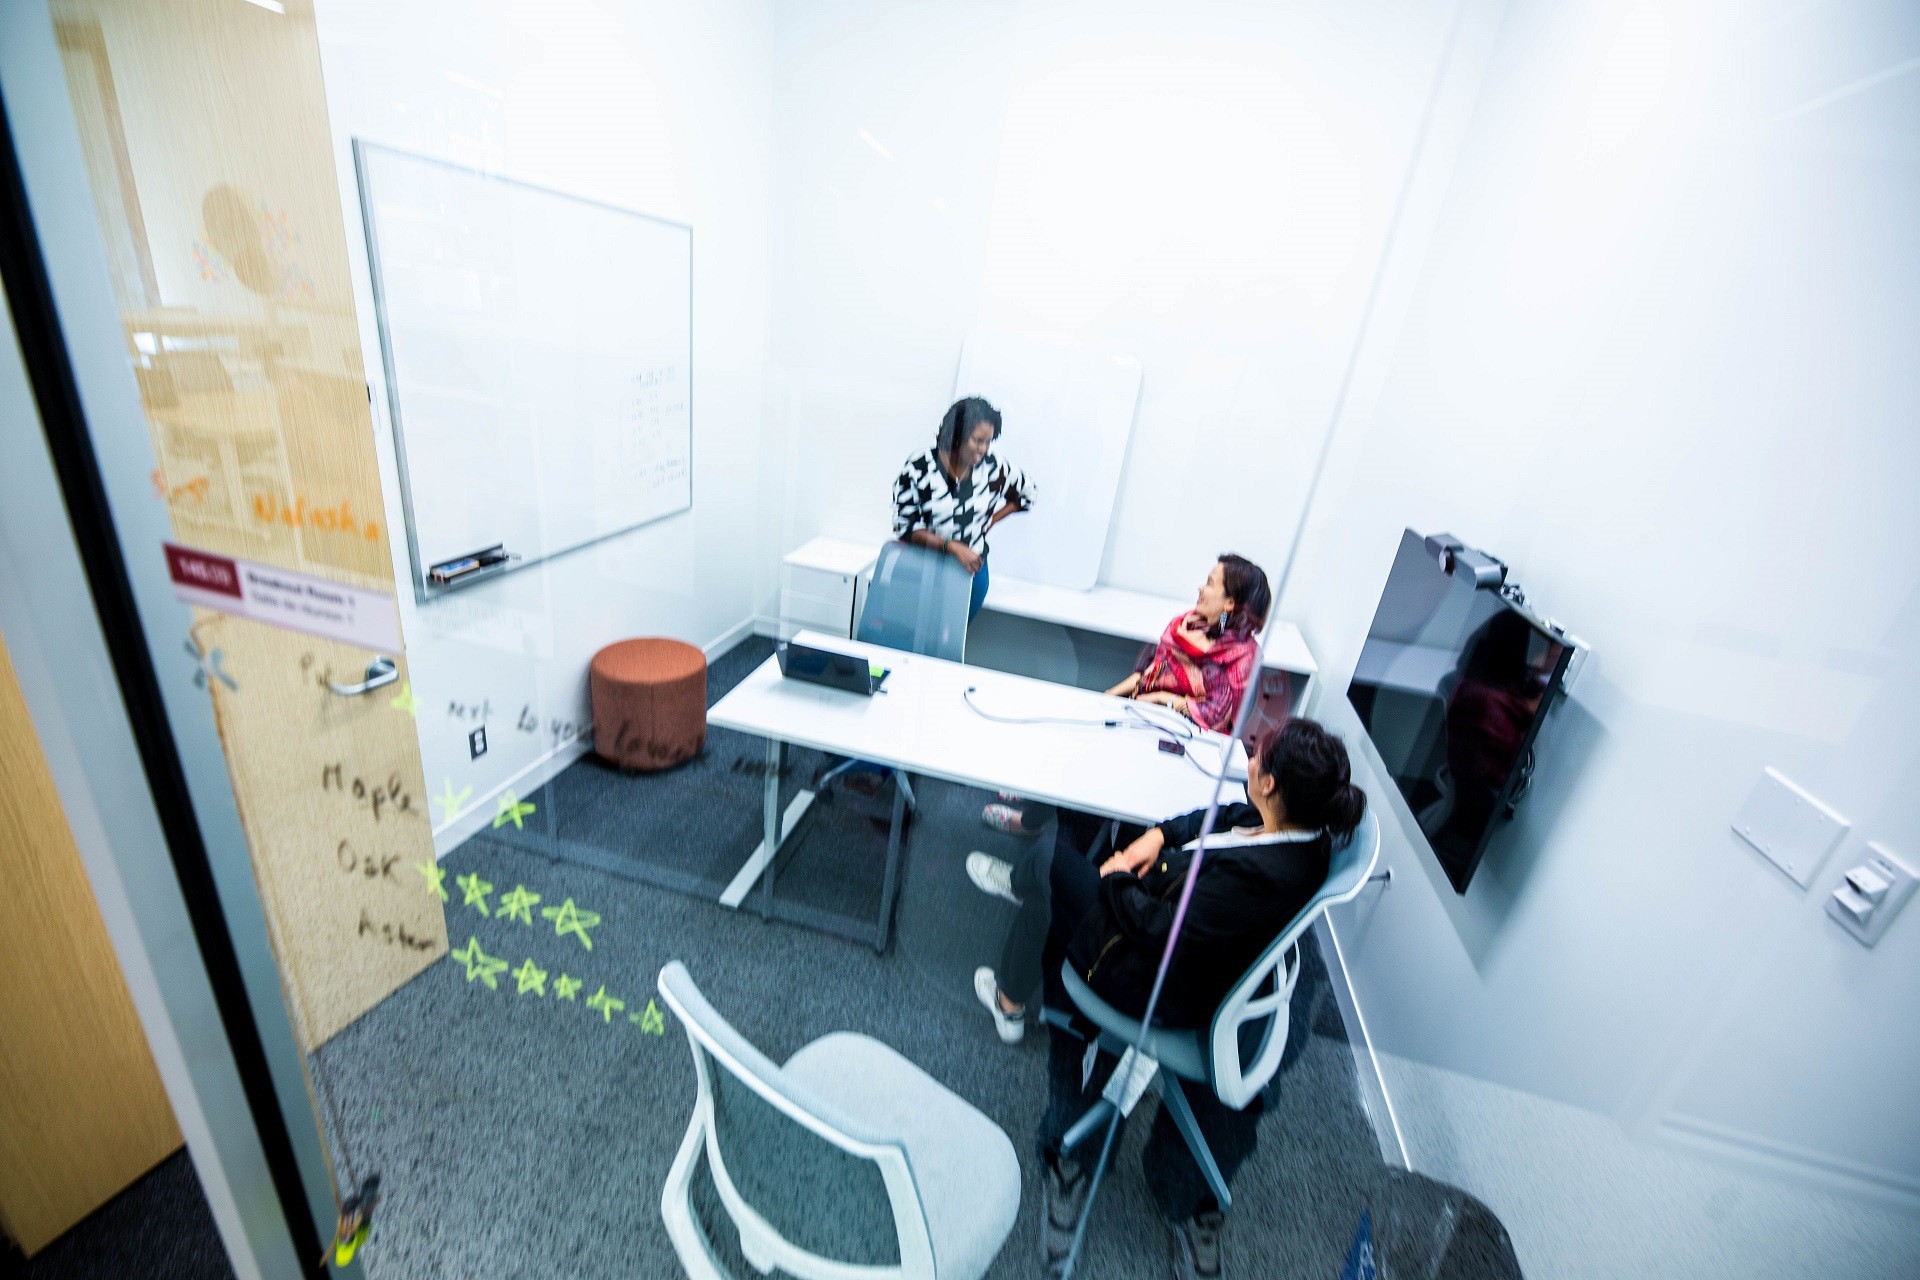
(1207,187)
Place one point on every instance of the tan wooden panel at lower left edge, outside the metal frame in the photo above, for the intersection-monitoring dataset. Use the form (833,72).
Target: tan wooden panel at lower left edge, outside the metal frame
(82,1106)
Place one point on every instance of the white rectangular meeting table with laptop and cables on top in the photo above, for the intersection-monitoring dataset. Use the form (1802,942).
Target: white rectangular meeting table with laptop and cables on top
(928,721)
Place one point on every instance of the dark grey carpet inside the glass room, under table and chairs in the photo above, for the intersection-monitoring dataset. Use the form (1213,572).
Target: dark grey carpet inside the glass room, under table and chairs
(529,1137)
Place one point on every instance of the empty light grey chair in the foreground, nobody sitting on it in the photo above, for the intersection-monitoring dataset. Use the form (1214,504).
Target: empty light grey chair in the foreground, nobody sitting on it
(844,1164)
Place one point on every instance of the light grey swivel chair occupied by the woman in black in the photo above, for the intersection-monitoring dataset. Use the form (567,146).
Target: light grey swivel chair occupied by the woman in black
(1255,1016)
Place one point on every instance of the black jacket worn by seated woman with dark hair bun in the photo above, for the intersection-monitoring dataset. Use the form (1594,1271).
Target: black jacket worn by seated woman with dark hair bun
(1245,897)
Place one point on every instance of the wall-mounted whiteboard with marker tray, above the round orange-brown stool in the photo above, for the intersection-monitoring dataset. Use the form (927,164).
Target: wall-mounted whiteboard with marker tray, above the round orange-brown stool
(539,362)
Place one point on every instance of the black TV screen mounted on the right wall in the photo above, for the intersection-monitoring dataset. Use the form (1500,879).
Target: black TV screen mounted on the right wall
(1452,686)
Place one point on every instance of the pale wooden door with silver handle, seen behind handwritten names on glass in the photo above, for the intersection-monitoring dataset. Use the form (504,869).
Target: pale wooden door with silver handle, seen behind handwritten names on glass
(208,153)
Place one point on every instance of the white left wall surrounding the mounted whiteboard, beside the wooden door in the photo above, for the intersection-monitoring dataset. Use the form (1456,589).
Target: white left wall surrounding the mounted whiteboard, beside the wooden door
(656,108)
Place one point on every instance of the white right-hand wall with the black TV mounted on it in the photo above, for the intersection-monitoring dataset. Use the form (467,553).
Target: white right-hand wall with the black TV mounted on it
(1662,358)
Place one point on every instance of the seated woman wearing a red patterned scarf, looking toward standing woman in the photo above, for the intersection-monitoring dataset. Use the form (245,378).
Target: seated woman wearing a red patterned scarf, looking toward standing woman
(1199,669)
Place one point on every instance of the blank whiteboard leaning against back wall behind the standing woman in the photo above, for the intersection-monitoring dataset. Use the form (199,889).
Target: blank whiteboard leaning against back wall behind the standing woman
(1067,421)
